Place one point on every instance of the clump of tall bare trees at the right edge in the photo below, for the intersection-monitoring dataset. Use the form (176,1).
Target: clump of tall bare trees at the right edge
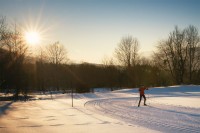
(178,54)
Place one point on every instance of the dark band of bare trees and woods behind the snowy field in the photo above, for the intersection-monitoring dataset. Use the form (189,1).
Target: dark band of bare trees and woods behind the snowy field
(175,61)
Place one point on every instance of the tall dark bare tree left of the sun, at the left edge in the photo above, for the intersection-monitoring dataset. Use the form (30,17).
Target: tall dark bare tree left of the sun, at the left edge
(13,43)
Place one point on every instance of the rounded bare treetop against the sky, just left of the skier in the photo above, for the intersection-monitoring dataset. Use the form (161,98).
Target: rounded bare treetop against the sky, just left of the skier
(127,51)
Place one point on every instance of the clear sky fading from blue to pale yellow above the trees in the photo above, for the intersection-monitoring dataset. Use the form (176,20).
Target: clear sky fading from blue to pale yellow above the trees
(90,30)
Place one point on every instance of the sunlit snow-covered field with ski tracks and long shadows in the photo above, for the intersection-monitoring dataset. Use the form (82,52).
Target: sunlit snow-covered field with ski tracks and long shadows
(174,109)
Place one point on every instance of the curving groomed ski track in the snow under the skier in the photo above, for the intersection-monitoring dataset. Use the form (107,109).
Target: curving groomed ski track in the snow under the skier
(164,118)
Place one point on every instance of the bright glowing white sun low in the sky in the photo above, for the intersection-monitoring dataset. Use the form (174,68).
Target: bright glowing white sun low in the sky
(32,37)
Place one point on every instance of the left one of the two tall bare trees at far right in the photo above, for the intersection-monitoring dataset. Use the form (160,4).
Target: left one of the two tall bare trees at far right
(173,53)
